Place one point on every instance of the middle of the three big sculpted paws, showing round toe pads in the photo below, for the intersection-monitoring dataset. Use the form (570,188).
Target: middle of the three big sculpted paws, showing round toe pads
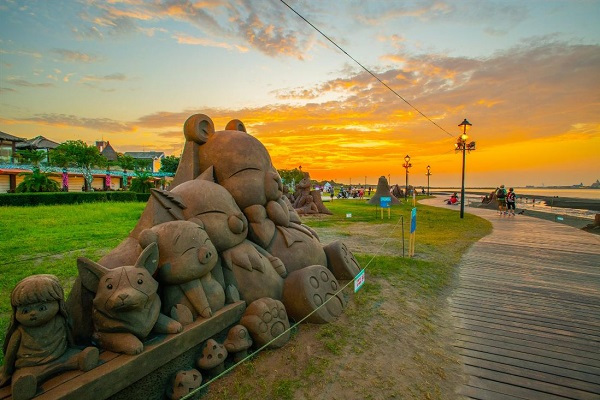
(311,289)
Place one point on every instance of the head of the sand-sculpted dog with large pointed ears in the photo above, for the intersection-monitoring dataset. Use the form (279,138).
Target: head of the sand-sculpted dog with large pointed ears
(125,297)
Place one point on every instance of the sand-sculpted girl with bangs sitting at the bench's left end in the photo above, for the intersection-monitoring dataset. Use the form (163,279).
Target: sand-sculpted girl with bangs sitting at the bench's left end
(38,341)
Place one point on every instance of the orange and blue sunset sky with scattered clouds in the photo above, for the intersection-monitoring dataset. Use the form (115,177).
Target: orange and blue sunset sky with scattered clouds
(526,74)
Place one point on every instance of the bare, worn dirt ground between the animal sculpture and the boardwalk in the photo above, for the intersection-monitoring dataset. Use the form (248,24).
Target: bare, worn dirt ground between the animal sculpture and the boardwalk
(392,342)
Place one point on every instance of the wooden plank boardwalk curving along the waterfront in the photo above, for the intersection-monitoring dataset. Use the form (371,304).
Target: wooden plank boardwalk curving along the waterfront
(527,310)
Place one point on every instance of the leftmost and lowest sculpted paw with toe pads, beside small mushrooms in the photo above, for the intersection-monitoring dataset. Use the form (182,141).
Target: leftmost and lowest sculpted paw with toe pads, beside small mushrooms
(266,320)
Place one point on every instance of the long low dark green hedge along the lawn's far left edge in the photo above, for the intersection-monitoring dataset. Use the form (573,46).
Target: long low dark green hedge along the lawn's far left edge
(53,198)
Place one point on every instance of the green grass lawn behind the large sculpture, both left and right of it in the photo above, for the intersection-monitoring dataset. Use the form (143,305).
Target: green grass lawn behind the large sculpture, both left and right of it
(48,239)
